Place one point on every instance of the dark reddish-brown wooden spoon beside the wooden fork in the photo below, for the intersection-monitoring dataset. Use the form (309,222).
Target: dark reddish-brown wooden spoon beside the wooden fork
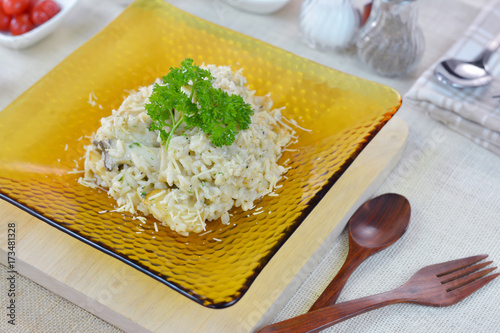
(376,225)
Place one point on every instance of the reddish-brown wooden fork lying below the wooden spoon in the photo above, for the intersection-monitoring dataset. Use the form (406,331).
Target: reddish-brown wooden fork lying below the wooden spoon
(436,285)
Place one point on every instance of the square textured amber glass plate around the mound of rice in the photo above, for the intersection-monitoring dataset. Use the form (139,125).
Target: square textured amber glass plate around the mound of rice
(42,134)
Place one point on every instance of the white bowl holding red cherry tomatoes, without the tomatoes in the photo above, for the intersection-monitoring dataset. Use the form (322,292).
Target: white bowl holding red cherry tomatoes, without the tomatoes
(40,32)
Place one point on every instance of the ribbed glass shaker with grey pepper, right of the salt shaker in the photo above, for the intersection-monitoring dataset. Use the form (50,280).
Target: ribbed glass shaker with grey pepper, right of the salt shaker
(390,42)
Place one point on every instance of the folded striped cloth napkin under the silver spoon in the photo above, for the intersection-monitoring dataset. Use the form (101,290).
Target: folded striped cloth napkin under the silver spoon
(473,112)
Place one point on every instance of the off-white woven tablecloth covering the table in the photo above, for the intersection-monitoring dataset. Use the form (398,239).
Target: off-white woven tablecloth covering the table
(452,184)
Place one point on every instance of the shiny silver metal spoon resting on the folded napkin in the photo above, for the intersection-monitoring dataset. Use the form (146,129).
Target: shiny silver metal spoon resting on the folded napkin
(463,74)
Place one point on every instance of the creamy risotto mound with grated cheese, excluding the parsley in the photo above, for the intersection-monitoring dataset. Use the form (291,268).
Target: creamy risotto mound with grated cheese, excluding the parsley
(188,180)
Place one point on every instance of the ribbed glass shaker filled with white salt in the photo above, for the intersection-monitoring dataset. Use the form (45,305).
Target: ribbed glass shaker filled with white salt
(328,24)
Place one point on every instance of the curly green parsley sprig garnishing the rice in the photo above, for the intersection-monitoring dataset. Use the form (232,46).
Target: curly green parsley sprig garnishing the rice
(214,111)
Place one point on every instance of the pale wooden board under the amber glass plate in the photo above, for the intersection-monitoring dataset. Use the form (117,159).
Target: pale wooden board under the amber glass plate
(124,297)
